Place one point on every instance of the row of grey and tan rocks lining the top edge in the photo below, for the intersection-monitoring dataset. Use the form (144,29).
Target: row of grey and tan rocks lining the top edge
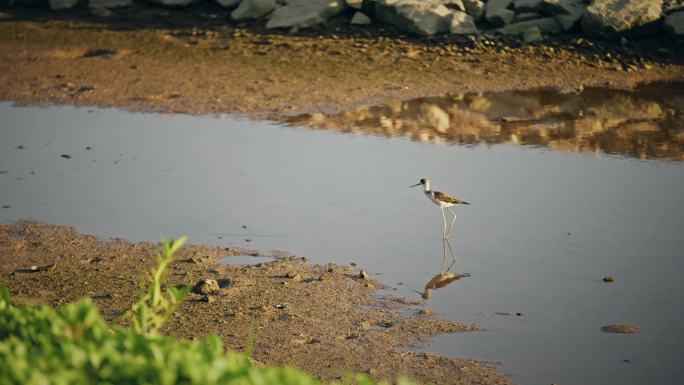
(530,20)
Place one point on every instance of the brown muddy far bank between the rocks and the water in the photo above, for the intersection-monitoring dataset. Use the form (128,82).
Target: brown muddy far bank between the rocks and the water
(195,62)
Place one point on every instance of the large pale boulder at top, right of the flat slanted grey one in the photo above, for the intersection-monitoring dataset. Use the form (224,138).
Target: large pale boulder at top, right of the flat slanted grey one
(414,16)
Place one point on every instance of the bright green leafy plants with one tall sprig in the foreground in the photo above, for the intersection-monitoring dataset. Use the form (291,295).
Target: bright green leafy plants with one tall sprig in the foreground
(73,345)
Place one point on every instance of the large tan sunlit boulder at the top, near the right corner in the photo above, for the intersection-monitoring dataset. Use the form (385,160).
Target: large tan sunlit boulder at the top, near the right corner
(615,18)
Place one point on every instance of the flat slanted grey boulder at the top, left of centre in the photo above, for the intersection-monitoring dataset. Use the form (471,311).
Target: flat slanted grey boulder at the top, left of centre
(305,13)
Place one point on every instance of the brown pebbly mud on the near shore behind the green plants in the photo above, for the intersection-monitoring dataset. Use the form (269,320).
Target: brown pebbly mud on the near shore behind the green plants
(325,319)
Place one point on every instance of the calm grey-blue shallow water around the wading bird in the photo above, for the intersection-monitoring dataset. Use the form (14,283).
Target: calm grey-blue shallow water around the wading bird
(543,228)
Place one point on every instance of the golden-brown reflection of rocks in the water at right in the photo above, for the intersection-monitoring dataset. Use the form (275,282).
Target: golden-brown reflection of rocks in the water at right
(647,123)
